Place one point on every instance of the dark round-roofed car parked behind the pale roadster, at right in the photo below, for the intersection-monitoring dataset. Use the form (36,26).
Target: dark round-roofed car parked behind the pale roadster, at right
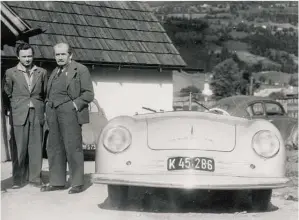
(253,107)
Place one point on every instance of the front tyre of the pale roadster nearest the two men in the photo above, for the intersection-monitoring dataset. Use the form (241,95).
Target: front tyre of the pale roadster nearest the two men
(117,195)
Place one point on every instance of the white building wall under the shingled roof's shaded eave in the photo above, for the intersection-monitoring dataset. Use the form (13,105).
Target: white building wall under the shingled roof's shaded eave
(126,91)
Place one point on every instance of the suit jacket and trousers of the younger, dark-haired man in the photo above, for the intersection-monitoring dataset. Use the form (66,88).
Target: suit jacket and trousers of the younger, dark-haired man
(27,122)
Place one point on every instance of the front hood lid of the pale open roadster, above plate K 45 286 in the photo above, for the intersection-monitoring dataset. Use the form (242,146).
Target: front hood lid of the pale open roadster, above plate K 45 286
(191,131)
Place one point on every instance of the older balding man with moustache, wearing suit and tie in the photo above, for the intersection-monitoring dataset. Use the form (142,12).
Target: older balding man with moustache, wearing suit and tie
(69,92)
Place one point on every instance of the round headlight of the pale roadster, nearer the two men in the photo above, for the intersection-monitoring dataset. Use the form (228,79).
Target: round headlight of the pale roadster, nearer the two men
(117,139)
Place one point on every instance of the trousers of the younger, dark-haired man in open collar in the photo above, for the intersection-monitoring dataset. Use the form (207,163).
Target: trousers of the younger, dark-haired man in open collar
(27,150)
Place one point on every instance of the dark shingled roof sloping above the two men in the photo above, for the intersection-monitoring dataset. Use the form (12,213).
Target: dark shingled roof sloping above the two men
(100,32)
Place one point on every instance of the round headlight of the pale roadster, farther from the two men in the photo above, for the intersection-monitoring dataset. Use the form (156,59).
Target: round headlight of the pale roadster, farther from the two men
(265,144)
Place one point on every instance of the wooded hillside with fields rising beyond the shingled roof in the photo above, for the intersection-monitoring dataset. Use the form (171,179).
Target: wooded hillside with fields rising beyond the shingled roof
(260,33)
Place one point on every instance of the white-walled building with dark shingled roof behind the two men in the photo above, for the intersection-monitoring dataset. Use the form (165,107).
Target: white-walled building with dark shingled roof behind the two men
(128,52)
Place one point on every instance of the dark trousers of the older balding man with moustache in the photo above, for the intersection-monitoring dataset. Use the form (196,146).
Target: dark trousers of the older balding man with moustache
(64,144)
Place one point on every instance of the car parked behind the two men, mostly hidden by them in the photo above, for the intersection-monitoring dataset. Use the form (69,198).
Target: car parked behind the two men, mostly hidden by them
(90,131)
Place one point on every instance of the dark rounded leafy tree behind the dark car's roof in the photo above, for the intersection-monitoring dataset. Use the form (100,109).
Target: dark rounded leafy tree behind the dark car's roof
(227,79)
